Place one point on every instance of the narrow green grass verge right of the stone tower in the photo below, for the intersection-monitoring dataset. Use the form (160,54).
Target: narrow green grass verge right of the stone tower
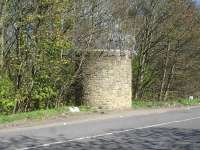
(141,104)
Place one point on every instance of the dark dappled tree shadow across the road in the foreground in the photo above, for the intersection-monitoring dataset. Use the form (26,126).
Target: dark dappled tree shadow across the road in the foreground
(146,139)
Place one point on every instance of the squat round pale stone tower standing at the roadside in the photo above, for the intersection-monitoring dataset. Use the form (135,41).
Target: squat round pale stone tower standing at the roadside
(107,79)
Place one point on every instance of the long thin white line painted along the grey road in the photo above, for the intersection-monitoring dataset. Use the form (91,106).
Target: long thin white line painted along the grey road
(109,133)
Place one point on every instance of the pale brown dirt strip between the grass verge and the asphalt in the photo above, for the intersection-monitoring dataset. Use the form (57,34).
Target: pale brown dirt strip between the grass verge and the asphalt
(87,117)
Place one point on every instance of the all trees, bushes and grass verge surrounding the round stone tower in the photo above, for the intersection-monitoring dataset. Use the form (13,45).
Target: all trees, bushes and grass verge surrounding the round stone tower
(41,40)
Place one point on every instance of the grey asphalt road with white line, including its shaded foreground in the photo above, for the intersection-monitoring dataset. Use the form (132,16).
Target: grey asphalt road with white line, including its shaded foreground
(177,130)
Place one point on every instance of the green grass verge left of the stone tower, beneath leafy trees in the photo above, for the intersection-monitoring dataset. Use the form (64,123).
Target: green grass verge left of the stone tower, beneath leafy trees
(39,115)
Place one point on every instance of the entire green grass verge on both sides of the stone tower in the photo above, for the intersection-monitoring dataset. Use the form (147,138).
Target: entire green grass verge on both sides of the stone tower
(51,113)
